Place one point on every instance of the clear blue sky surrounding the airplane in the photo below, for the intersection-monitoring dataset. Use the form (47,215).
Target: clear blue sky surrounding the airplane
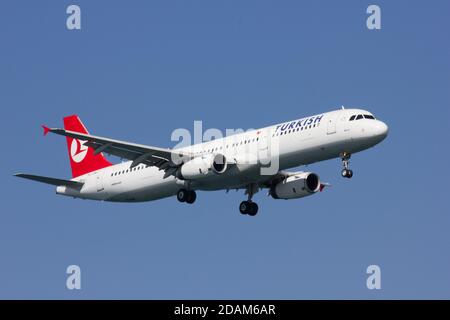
(137,71)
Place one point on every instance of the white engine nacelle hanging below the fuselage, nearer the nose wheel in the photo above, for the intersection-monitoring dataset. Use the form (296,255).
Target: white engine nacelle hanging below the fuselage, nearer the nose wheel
(296,186)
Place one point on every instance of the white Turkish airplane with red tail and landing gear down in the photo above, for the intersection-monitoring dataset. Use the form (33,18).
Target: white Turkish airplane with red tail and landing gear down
(233,162)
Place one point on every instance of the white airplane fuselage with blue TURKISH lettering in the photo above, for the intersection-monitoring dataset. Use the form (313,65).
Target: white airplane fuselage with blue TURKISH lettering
(287,145)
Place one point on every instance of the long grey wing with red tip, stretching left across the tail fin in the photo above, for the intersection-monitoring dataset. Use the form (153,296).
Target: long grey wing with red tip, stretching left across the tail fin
(163,158)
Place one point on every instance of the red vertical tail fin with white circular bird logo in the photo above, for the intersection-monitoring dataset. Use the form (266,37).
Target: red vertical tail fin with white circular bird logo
(82,158)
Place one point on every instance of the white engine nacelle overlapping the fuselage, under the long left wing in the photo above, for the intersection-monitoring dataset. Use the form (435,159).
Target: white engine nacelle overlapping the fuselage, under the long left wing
(201,167)
